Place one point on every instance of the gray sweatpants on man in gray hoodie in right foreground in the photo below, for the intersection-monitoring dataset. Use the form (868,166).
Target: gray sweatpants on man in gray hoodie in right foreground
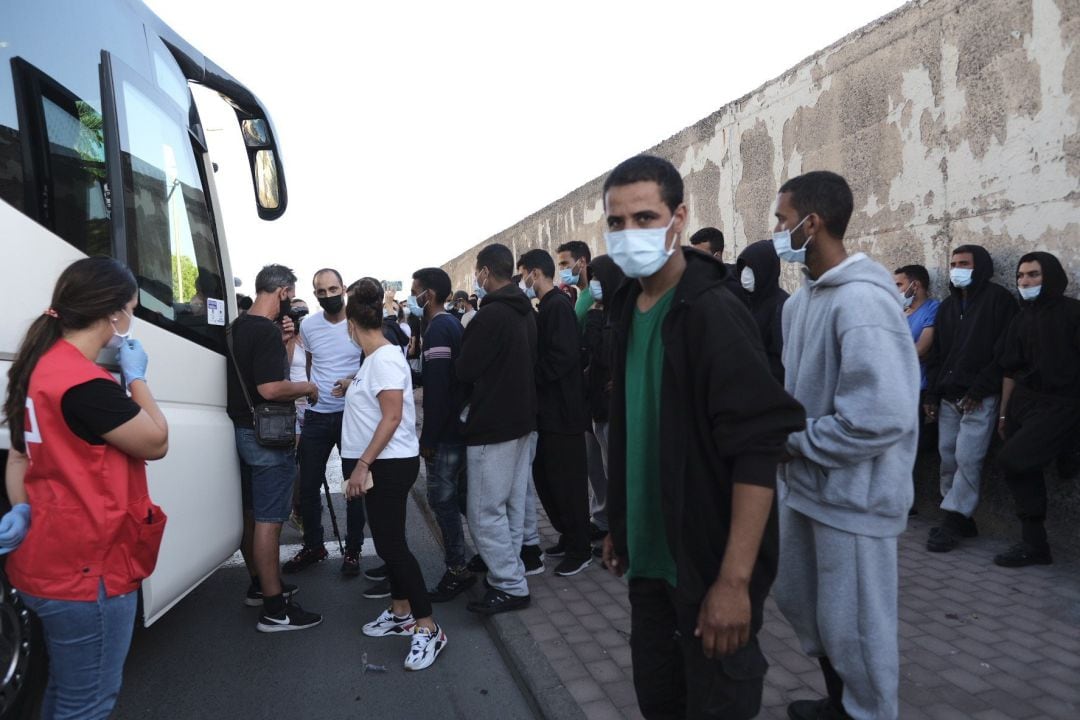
(839,591)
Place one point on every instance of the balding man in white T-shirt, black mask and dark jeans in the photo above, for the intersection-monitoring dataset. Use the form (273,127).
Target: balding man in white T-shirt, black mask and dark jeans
(332,358)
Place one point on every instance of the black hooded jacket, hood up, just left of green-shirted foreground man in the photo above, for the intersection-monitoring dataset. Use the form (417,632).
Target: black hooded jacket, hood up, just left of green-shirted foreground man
(597,338)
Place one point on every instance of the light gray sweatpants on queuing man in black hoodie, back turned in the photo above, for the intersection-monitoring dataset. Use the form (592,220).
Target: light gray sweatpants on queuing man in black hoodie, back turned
(498,487)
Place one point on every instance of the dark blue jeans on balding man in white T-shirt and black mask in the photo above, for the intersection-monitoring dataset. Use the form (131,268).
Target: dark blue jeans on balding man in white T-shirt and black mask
(322,432)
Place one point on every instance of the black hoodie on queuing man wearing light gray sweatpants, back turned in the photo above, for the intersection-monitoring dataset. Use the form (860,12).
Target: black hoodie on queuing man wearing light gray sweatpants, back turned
(497,365)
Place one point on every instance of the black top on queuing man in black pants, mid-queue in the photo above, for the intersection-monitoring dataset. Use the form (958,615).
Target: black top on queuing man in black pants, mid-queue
(560,378)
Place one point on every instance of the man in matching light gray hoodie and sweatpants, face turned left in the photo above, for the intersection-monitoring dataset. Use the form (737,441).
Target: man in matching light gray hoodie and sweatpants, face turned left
(846,487)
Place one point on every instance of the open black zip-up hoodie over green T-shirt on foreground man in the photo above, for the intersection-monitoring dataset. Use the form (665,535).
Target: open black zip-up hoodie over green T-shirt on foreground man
(724,419)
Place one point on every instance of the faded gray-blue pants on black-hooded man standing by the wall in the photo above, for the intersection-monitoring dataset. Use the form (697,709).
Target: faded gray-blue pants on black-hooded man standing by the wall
(963,441)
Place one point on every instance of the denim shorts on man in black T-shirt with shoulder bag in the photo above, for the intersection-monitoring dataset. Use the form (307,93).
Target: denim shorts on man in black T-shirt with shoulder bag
(266,478)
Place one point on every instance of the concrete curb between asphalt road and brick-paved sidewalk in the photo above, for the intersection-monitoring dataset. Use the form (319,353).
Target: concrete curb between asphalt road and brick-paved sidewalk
(545,691)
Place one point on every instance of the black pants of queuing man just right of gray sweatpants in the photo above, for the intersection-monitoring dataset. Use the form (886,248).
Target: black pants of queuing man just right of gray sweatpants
(561,476)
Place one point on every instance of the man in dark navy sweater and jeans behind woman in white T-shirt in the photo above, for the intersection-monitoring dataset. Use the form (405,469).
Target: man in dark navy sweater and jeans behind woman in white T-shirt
(441,444)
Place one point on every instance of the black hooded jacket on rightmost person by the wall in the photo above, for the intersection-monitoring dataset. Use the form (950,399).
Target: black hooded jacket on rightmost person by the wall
(1042,348)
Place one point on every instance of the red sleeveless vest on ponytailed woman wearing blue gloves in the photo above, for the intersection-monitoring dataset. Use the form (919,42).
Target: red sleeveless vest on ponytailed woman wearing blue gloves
(92,519)
